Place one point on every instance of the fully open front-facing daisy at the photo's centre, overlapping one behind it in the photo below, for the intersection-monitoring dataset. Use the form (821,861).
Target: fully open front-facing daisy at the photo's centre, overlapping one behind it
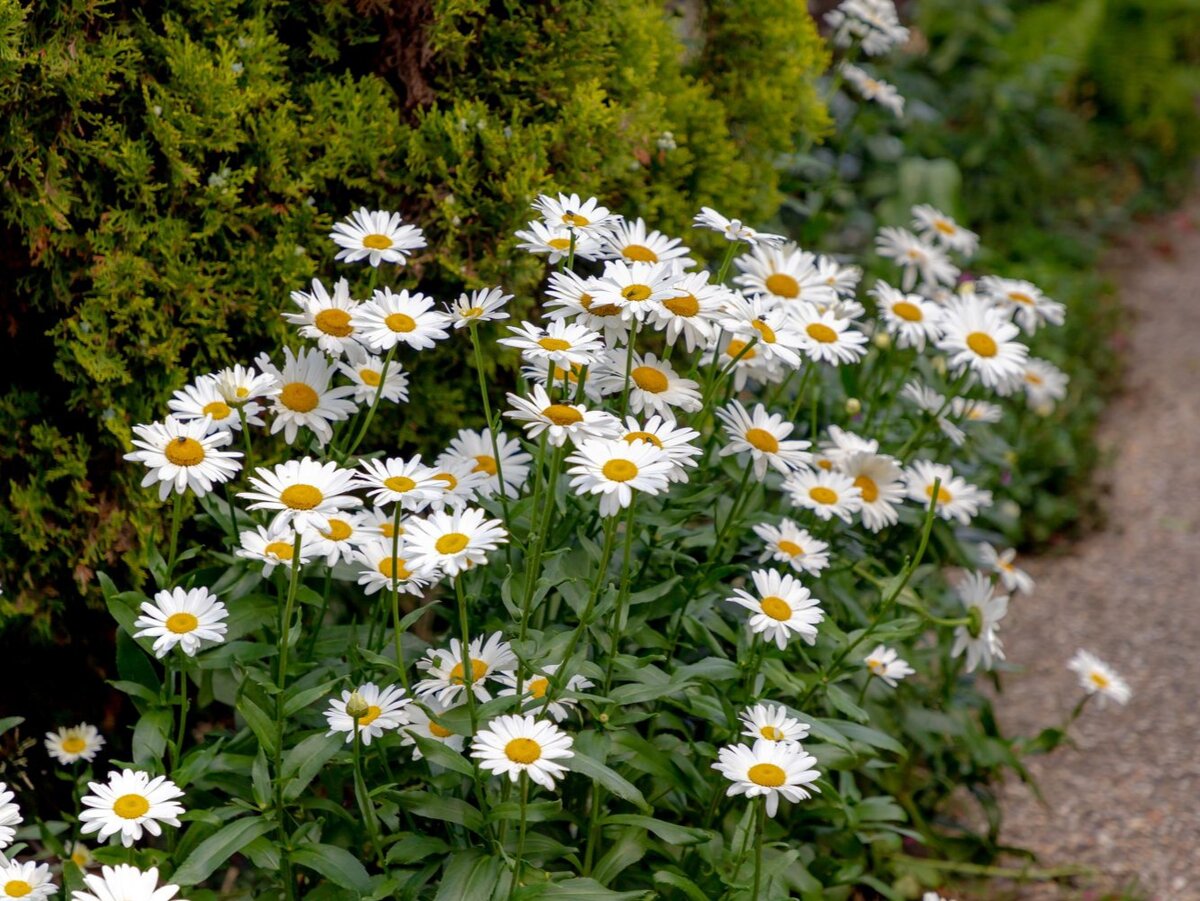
(615,470)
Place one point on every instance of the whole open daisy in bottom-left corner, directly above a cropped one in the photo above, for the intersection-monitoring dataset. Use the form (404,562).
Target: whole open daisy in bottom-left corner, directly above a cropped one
(130,803)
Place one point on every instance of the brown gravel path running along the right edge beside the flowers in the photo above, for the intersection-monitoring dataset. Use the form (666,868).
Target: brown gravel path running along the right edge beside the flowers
(1127,801)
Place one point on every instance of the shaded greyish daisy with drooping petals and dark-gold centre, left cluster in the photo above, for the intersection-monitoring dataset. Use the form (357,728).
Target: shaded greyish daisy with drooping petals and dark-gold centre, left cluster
(305,398)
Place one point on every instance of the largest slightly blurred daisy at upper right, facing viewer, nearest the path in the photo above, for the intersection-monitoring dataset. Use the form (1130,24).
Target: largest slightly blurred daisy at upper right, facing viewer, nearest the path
(980,338)
